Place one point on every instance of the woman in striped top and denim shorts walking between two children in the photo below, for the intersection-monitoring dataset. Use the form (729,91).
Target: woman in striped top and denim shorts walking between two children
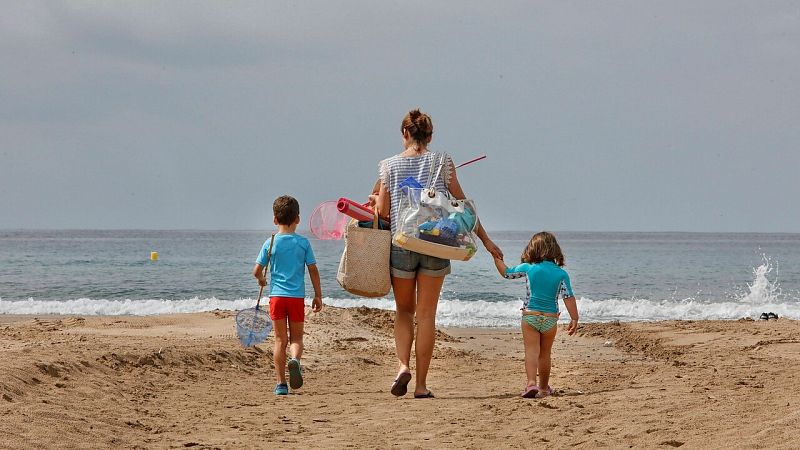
(416,279)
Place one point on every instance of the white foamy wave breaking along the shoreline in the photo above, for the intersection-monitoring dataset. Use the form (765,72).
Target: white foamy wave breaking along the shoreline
(451,313)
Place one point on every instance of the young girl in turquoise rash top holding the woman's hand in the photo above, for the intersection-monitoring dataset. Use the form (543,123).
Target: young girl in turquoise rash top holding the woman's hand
(547,281)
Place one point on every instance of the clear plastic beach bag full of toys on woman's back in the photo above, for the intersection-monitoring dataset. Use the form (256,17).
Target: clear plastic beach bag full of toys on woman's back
(432,222)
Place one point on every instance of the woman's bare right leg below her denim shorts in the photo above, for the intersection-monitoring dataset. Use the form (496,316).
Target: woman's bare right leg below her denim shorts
(428,290)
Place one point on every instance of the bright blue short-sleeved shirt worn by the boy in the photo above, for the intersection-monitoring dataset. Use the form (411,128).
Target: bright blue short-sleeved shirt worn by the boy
(291,253)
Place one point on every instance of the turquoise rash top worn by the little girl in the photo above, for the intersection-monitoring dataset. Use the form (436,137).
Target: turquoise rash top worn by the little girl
(546,282)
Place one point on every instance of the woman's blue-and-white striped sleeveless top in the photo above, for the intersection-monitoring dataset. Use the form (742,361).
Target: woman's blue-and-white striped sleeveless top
(394,170)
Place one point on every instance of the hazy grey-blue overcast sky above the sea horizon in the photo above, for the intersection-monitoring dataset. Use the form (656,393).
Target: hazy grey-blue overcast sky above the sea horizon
(594,116)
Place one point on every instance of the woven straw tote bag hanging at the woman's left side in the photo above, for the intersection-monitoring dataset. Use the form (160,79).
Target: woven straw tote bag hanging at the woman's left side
(364,267)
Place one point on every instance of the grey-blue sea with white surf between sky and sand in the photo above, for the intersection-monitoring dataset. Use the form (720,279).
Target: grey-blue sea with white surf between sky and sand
(615,276)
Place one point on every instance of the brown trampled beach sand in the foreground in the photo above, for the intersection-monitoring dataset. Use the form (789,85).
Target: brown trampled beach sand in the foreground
(183,381)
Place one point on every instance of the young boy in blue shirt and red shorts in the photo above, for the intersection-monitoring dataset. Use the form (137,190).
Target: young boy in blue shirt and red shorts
(290,254)
